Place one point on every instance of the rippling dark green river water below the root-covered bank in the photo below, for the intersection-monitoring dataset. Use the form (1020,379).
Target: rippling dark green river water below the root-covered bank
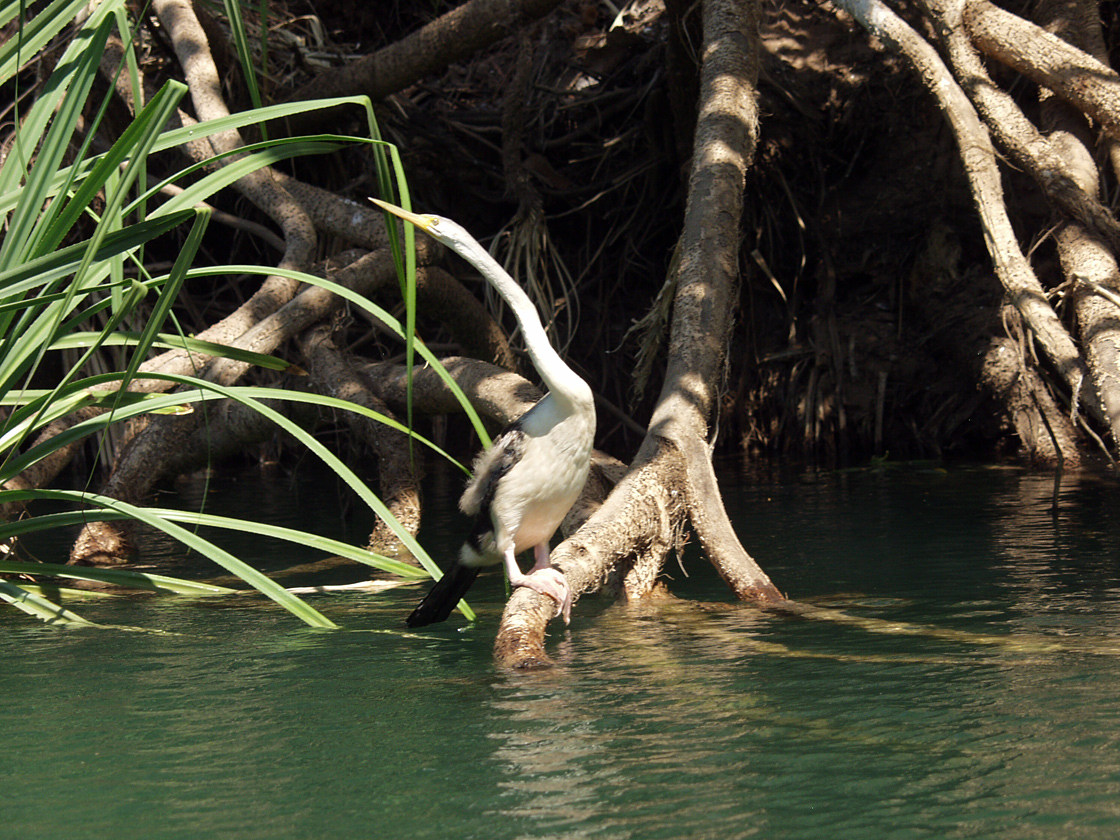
(696,720)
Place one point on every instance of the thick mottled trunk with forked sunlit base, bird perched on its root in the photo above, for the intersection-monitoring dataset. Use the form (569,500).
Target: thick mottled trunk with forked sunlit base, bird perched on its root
(671,479)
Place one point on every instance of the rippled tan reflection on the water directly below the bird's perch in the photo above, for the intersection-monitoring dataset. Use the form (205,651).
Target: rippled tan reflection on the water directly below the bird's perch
(636,743)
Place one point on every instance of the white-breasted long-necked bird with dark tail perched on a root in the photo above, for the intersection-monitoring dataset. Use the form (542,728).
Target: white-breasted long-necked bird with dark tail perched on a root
(526,482)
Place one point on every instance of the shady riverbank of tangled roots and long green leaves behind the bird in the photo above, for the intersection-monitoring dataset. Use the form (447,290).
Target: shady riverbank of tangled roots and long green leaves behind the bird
(825,232)
